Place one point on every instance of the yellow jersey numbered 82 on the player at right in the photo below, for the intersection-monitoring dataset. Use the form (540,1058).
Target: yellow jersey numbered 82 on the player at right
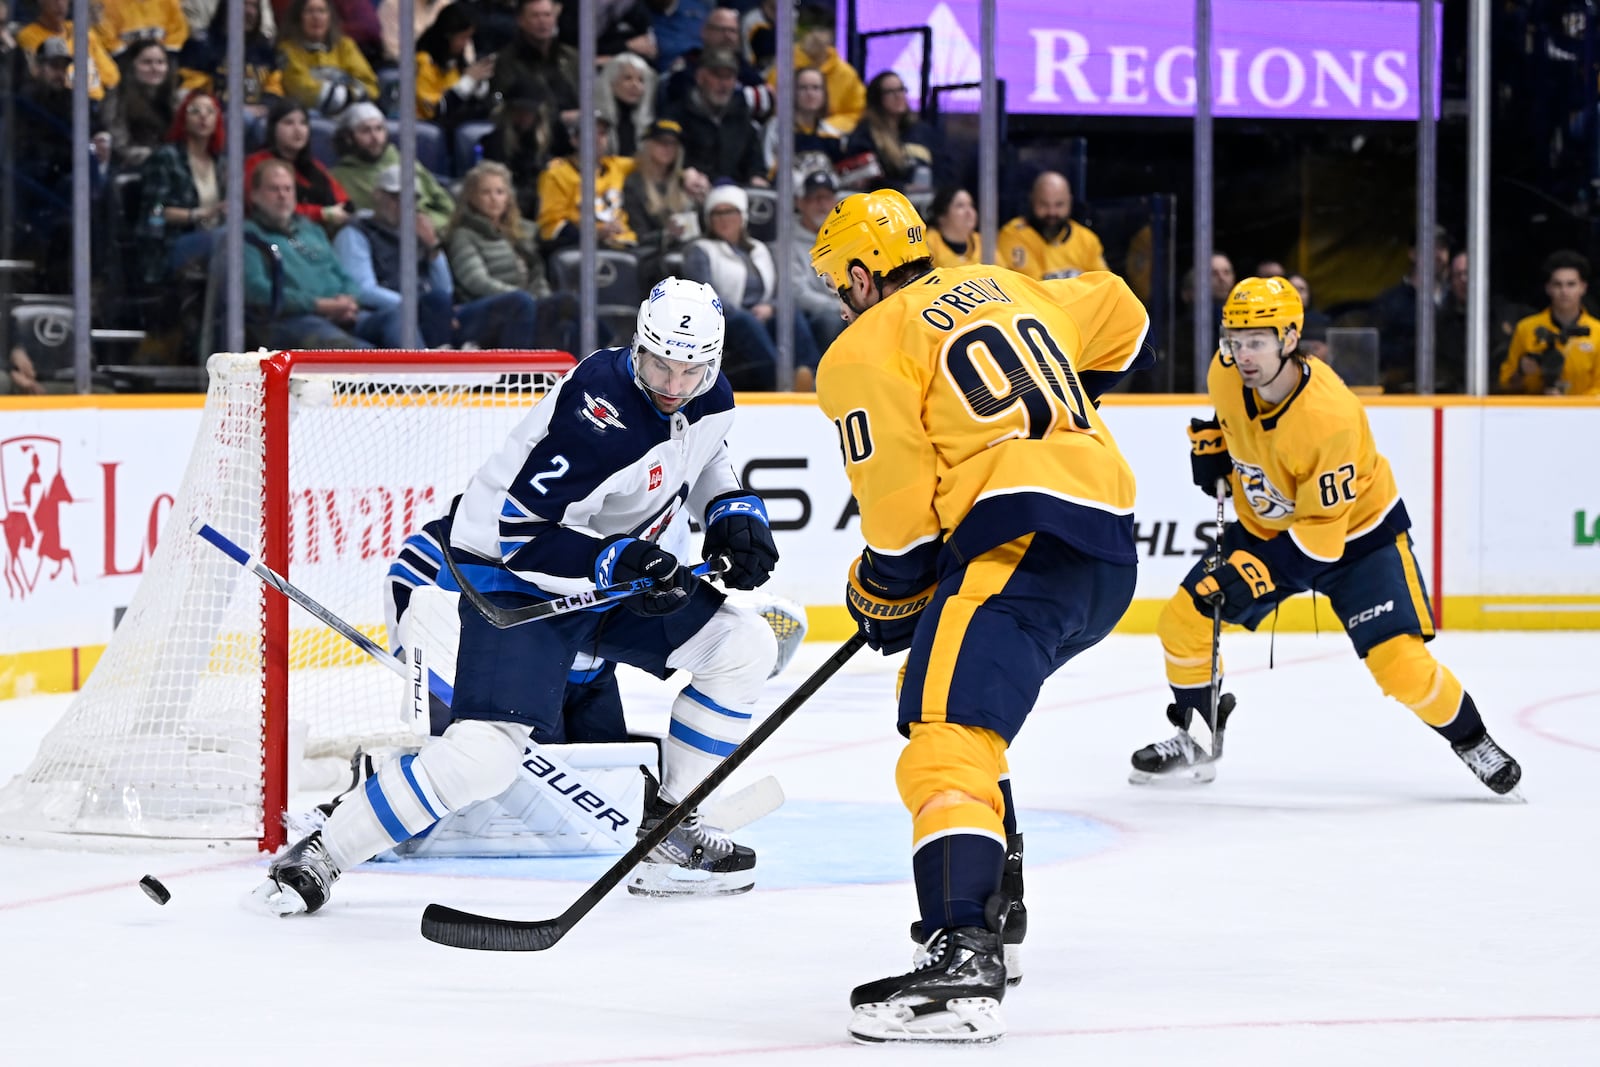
(1308,470)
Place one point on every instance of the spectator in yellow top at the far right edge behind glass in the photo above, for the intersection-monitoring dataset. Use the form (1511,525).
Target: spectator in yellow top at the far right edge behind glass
(1558,353)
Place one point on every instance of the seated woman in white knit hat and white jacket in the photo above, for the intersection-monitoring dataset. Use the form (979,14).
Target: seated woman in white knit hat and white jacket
(746,281)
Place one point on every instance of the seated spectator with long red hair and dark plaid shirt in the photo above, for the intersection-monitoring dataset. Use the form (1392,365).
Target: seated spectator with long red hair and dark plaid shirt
(185,193)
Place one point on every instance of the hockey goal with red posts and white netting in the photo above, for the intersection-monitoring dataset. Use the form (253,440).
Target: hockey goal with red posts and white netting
(321,465)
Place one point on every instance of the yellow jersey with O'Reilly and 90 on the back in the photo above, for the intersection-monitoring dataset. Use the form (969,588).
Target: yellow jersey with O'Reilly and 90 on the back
(966,412)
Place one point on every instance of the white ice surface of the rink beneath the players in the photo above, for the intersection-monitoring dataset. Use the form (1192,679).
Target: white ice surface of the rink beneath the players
(1345,893)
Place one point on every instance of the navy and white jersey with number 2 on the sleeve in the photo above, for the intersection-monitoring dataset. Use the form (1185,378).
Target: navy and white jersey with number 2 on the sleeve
(594,460)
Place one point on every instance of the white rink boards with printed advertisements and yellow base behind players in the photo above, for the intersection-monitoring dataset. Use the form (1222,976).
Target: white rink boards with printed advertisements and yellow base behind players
(1508,535)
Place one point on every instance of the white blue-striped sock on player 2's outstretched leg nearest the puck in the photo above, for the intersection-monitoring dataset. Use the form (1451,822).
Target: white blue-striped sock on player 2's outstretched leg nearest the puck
(471,761)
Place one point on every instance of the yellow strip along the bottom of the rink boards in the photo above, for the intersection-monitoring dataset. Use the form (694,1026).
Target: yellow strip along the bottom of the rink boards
(52,671)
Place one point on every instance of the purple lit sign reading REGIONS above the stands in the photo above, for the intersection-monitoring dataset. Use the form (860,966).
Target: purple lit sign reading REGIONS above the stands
(1271,58)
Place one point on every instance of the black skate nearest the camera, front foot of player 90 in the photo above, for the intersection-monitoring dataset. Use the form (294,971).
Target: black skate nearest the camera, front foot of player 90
(953,994)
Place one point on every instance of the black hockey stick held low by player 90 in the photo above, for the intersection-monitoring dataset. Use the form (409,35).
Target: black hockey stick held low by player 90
(463,930)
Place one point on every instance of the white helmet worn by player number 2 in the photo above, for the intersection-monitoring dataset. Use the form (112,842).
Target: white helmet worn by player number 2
(681,322)
